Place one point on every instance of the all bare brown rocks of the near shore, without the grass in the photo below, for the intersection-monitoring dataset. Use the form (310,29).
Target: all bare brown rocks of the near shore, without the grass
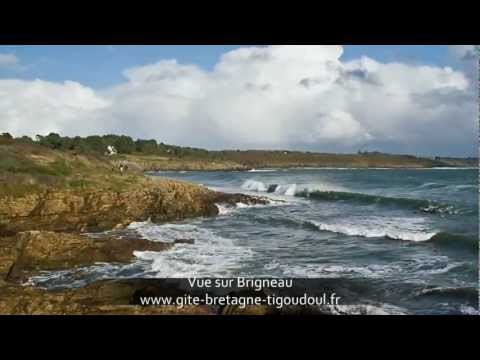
(50,231)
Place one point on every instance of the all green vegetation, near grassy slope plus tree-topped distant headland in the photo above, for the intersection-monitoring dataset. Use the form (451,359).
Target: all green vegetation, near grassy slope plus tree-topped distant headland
(53,161)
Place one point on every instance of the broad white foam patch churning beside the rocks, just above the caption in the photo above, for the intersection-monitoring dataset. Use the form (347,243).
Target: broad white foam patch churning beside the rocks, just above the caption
(210,255)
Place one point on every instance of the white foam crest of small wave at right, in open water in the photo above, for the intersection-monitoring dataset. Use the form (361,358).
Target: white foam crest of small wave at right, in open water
(408,229)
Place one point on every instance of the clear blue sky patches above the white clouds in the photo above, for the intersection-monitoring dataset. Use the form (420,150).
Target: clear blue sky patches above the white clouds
(101,66)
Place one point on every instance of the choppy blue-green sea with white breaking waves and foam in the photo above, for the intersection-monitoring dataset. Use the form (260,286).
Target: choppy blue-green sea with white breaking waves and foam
(402,240)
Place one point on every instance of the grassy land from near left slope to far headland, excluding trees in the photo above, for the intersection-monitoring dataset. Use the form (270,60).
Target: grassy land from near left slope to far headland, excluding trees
(27,168)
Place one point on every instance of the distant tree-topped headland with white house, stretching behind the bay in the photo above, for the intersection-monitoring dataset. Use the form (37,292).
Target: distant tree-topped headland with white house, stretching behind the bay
(150,155)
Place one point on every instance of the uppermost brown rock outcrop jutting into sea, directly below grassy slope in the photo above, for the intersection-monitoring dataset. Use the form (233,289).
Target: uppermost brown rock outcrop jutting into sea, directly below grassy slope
(100,210)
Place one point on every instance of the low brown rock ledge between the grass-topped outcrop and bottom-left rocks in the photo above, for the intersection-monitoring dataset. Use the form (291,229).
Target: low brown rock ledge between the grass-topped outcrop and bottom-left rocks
(45,250)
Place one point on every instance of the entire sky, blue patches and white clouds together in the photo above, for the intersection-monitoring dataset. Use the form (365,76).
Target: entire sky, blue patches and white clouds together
(417,99)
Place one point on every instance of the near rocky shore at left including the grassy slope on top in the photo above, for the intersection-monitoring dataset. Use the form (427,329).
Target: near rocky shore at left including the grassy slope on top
(48,227)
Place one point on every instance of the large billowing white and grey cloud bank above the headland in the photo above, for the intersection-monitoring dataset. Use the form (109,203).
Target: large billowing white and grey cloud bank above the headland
(275,97)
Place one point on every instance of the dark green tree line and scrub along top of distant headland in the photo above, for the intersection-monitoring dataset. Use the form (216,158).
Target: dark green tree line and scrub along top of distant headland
(150,150)
